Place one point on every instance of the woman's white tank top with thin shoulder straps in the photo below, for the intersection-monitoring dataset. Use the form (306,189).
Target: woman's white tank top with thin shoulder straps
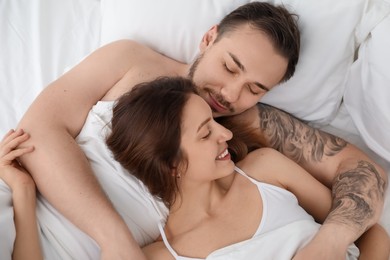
(280,207)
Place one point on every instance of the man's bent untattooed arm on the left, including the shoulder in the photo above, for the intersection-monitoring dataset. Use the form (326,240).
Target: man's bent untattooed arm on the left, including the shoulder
(60,169)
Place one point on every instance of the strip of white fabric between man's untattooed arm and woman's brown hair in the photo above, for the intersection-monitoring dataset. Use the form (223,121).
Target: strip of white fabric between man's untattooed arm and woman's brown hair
(129,196)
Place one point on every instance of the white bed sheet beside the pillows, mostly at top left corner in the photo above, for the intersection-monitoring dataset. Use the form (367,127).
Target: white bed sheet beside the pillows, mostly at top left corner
(40,39)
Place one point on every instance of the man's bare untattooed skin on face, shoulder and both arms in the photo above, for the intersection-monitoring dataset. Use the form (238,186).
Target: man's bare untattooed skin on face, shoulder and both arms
(113,70)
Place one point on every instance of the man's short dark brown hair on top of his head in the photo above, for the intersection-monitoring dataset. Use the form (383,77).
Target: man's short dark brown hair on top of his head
(276,22)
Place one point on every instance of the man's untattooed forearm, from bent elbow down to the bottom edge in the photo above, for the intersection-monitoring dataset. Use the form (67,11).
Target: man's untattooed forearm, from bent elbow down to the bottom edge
(66,180)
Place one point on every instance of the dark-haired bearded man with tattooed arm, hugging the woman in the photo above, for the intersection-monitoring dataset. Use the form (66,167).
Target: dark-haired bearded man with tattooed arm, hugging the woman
(237,65)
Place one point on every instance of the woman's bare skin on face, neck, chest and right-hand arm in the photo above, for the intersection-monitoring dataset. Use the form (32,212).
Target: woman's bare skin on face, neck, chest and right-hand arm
(211,193)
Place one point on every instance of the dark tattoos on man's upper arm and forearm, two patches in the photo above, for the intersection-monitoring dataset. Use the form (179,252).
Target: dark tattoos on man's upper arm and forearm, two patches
(357,192)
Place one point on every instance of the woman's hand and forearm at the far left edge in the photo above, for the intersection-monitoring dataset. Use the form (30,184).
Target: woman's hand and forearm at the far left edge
(26,244)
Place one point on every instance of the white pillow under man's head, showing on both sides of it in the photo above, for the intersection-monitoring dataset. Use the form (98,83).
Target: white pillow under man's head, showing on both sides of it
(175,28)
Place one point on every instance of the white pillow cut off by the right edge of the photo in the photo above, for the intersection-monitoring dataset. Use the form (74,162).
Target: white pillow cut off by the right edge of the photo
(367,95)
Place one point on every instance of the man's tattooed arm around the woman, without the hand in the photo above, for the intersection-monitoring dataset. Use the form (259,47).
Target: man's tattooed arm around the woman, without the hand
(358,184)
